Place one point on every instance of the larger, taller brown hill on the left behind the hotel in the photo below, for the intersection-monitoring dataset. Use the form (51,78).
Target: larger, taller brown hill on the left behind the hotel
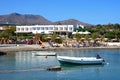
(16,18)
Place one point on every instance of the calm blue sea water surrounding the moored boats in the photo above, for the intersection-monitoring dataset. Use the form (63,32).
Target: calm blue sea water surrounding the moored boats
(26,66)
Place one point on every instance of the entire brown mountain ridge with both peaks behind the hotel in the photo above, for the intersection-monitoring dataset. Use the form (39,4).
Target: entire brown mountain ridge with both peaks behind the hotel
(21,19)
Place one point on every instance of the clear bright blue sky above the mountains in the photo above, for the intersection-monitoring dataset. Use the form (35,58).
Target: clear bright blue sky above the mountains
(88,11)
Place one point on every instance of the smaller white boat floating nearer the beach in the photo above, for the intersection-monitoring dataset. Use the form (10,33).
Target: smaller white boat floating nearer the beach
(45,53)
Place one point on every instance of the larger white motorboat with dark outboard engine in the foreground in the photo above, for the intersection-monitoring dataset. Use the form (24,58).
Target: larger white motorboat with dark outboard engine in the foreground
(81,60)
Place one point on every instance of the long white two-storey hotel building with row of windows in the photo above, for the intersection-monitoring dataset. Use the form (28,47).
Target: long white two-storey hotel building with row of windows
(45,29)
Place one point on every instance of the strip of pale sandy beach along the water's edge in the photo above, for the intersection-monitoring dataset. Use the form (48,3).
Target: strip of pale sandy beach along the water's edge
(14,48)
